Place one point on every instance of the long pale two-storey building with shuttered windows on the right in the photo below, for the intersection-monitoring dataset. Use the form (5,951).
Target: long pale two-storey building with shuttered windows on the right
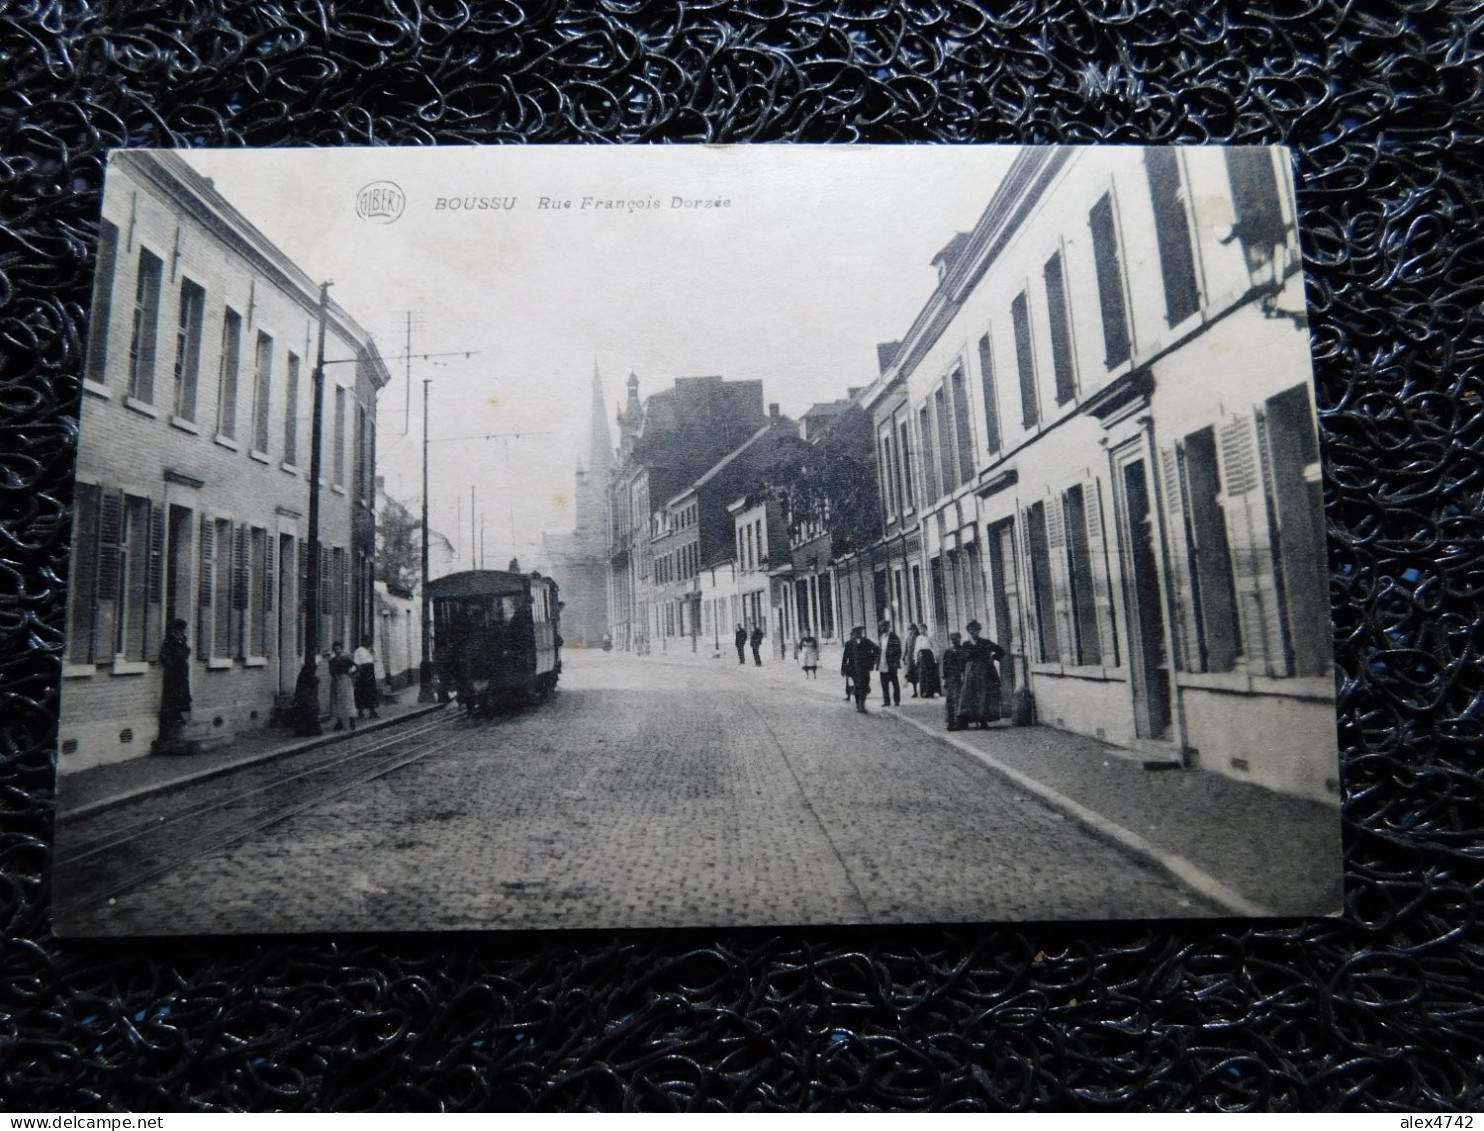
(1108,431)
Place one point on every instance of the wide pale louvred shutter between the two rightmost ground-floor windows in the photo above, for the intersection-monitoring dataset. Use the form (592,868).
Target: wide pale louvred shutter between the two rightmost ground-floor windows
(1250,537)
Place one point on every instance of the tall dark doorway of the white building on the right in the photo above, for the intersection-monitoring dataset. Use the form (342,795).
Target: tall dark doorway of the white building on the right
(1149,663)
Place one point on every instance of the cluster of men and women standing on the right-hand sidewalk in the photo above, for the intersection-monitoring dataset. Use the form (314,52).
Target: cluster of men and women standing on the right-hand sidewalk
(967,675)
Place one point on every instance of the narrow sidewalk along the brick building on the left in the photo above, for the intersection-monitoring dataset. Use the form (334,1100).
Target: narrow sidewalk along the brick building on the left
(102,787)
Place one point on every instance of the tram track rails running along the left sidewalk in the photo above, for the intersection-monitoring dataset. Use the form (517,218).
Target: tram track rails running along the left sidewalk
(127,857)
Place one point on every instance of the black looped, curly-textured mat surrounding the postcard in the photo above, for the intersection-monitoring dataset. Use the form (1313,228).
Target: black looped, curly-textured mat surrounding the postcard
(1382,1010)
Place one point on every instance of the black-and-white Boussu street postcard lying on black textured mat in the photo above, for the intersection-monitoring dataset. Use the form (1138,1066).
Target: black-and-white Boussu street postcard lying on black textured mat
(697,537)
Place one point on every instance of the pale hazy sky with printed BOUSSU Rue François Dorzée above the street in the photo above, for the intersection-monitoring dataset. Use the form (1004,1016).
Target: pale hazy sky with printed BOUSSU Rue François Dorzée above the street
(823,253)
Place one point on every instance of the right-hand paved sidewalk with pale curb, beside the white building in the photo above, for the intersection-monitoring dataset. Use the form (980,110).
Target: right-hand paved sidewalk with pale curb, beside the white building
(1255,851)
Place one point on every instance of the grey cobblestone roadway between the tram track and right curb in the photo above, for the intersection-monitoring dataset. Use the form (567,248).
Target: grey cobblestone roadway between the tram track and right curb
(654,793)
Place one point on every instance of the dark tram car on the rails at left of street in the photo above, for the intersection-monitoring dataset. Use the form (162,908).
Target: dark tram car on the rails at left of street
(496,642)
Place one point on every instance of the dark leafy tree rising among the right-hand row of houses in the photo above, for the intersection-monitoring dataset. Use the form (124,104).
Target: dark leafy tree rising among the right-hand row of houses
(830,483)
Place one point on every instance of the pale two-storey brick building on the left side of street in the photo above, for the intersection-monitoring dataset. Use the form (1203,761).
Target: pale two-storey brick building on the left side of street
(192,467)
